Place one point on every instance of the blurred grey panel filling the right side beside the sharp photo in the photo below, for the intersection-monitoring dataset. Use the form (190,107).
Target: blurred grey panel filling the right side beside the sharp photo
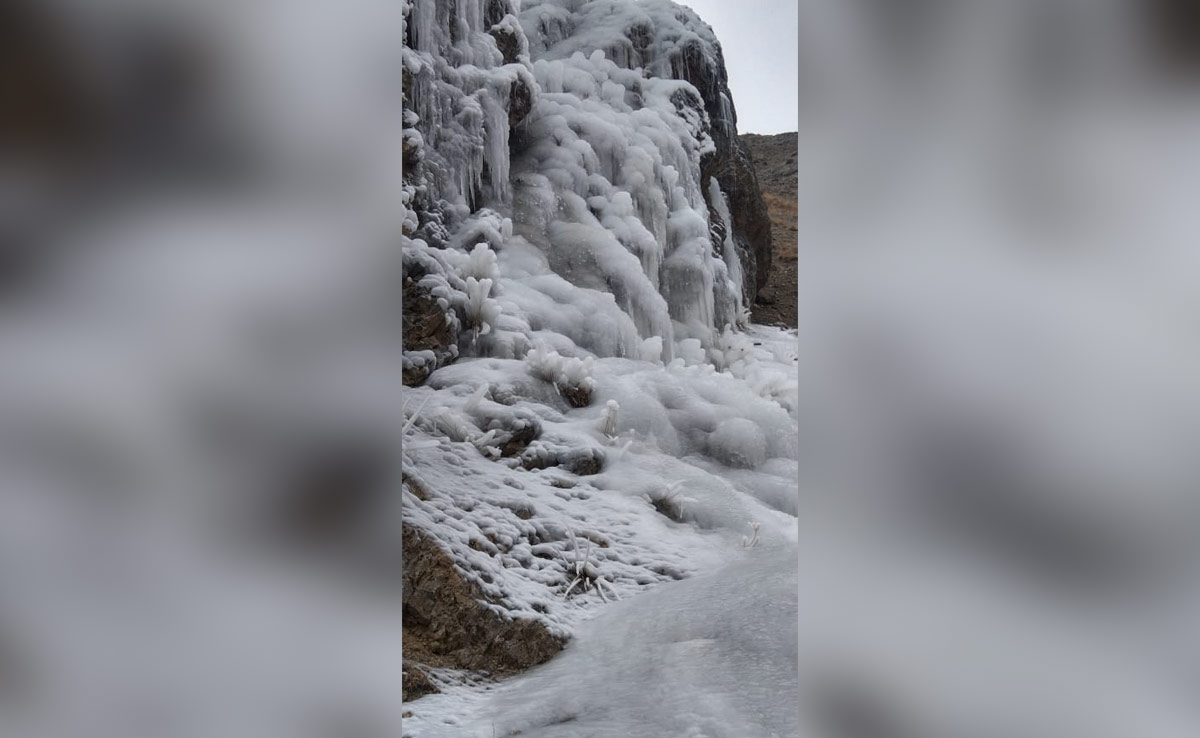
(1000,368)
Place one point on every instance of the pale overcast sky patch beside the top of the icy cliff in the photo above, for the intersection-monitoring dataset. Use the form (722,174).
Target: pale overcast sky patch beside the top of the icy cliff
(759,39)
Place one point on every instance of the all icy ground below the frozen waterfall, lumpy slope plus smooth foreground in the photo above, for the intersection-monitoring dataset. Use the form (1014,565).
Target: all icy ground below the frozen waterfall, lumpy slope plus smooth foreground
(667,507)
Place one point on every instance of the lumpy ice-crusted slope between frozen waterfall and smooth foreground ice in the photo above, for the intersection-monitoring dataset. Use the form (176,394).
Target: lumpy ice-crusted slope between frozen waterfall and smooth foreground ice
(665,411)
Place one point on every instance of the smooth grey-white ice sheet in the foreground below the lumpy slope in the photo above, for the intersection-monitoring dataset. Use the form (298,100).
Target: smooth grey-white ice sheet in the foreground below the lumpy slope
(638,669)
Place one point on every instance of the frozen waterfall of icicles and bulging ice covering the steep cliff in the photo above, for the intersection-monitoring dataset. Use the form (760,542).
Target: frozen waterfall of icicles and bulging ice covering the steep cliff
(568,140)
